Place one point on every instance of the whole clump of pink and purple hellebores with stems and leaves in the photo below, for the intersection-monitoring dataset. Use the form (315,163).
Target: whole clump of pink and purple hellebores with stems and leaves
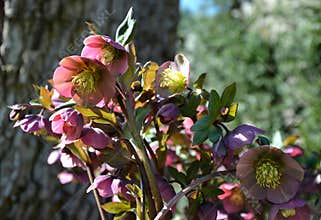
(144,138)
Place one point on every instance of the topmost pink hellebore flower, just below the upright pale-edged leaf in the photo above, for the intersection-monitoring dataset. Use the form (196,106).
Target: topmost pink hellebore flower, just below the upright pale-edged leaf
(106,51)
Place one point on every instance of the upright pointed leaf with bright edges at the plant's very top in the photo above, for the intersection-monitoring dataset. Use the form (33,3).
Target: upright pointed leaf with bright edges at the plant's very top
(126,30)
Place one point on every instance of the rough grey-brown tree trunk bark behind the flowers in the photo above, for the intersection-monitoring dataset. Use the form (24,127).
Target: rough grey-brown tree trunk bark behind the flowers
(36,34)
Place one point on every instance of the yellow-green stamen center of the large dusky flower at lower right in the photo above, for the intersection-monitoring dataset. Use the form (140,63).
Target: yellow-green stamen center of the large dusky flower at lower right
(268,174)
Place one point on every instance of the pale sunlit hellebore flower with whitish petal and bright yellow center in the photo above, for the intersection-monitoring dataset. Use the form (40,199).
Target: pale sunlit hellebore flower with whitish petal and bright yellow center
(173,77)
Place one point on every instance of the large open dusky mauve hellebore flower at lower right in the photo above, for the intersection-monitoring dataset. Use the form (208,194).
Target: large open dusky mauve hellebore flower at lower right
(267,172)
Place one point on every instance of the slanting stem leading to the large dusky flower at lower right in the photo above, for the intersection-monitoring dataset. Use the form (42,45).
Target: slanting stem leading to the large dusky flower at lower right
(186,190)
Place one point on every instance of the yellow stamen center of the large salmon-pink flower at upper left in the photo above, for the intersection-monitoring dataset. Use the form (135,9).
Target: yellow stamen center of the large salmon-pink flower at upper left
(86,81)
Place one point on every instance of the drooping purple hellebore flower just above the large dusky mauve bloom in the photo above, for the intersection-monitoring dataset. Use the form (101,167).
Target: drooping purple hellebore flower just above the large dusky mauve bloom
(241,136)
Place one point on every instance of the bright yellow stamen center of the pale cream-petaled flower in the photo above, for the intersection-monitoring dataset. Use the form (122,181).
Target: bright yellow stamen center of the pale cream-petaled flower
(175,81)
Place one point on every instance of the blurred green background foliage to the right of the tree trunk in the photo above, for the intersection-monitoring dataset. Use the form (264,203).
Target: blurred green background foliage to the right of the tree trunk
(272,50)
